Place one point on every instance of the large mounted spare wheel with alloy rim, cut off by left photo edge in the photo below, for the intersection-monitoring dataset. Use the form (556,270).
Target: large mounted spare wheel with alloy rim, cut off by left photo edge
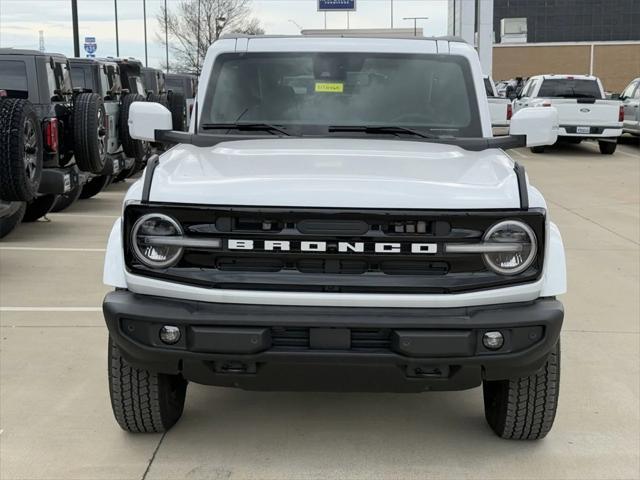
(20,150)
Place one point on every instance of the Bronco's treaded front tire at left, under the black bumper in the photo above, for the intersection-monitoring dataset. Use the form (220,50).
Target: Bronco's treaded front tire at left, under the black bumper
(143,401)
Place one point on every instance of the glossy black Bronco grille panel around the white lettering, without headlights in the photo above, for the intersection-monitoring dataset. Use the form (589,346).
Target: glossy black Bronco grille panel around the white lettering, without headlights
(333,271)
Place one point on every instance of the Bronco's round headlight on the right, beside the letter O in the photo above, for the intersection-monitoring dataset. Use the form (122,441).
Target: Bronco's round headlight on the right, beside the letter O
(520,247)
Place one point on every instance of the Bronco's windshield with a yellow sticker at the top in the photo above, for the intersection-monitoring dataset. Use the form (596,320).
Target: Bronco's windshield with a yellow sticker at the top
(426,92)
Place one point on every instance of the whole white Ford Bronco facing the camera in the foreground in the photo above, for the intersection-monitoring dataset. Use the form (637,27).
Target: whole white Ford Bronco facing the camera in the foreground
(337,218)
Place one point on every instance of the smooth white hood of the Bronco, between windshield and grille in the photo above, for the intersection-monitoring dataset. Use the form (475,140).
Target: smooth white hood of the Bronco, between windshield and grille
(342,173)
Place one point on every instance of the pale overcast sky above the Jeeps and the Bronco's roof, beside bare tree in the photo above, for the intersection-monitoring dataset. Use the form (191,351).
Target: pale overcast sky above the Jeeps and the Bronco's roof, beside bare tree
(21,20)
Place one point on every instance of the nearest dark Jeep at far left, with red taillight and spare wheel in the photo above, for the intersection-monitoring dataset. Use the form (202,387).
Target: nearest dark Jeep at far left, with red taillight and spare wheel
(51,135)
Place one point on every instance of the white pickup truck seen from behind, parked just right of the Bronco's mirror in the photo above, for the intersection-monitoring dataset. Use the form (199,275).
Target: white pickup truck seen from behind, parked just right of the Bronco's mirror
(583,111)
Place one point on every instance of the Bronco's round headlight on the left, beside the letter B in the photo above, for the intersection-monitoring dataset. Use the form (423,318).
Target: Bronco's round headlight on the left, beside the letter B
(148,239)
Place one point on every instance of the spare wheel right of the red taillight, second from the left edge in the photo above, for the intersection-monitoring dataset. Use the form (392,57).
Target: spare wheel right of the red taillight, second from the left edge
(90,132)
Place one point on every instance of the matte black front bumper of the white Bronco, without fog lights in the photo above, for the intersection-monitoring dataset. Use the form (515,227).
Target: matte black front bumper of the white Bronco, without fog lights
(270,347)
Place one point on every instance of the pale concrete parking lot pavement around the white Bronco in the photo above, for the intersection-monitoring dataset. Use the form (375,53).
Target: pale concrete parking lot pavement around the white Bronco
(56,423)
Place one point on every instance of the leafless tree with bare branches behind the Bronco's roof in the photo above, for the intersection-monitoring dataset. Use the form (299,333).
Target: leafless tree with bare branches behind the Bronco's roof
(193,25)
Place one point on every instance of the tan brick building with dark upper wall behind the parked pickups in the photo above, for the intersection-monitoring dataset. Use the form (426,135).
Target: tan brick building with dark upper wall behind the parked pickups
(598,37)
